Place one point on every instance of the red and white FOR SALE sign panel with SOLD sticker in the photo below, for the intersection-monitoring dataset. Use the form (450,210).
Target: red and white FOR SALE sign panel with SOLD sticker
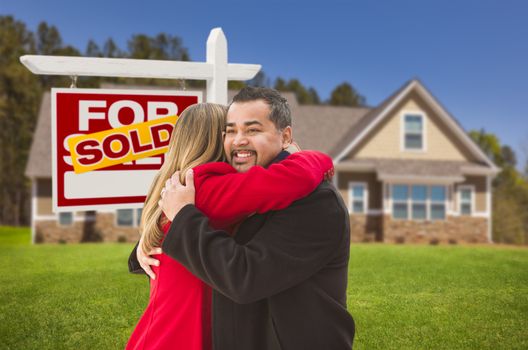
(109,144)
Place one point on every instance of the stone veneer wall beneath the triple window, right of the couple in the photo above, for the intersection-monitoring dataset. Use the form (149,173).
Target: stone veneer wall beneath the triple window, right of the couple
(461,229)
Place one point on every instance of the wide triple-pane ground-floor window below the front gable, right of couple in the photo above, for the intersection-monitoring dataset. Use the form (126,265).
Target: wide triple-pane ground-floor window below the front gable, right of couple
(418,202)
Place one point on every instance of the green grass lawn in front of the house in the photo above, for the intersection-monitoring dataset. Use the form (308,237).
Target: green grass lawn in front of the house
(401,296)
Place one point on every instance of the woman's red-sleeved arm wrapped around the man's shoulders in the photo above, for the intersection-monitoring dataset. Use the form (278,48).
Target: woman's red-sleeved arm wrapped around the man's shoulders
(226,196)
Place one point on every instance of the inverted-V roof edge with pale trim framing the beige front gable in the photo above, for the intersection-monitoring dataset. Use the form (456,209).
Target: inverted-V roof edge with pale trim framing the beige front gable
(361,130)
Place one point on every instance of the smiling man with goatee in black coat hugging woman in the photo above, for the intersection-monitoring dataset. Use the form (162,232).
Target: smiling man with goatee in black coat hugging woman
(280,282)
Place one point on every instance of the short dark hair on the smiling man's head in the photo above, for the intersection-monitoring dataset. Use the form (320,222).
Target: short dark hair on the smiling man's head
(280,113)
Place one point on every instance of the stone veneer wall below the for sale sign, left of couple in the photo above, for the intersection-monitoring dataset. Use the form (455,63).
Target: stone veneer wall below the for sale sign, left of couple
(102,229)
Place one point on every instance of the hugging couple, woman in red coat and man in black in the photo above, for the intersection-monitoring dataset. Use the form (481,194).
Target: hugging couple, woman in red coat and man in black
(245,241)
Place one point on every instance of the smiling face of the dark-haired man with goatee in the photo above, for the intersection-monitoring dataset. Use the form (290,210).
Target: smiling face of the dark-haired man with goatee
(251,137)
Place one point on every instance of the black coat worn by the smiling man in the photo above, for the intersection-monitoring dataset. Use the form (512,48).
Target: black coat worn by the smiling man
(281,282)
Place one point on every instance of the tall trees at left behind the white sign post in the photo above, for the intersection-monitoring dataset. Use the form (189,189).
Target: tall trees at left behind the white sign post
(21,93)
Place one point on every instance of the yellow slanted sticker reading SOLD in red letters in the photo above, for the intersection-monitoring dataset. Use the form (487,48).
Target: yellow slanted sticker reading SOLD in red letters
(120,145)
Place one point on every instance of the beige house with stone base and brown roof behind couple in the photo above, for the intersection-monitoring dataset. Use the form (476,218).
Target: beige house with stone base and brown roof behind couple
(406,169)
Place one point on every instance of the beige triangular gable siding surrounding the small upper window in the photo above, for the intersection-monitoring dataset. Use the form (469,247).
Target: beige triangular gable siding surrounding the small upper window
(386,140)
